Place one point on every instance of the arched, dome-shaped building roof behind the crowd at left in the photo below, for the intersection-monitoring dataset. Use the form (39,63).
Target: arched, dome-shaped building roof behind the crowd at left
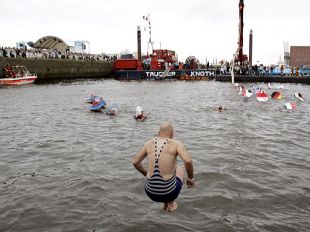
(51,42)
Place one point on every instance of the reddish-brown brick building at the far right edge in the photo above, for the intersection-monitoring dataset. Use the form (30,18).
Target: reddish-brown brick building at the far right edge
(299,56)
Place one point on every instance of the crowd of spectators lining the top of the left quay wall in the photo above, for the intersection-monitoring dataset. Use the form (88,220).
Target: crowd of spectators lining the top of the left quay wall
(35,53)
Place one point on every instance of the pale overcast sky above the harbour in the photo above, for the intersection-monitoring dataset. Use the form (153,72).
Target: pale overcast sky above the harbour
(207,29)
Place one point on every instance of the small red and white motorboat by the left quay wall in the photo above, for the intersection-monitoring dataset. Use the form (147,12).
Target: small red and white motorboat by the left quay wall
(17,75)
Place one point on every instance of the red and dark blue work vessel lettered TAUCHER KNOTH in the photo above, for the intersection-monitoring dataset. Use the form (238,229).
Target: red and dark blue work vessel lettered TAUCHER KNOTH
(161,64)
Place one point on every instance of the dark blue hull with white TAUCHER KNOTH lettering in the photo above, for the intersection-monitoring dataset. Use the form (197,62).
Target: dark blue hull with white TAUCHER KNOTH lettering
(190,74)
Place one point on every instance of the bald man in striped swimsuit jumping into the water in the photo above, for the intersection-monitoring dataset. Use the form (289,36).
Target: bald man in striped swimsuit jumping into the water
(163,177)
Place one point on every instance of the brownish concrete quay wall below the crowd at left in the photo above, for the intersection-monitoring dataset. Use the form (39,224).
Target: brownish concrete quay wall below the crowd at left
(57,69)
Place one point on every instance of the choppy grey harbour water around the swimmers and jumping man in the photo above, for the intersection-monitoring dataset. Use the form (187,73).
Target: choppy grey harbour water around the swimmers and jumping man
(63,168)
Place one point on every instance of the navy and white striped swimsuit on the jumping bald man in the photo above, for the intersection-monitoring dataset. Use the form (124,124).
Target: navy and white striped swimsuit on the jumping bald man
(156,187)
